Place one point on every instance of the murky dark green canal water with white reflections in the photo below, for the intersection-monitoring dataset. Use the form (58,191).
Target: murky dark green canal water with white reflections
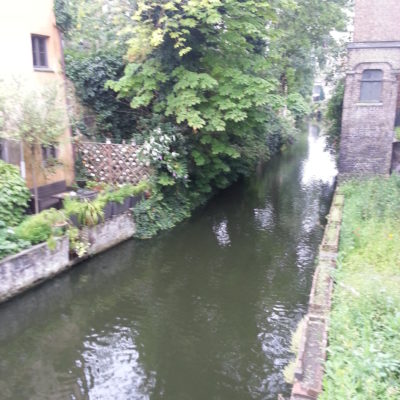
(202,312)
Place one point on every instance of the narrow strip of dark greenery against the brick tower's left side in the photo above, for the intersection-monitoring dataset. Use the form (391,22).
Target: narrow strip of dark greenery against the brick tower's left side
(334,113)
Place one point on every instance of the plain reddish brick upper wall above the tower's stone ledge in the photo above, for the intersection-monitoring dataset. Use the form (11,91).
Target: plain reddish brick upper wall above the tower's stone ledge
(376,20)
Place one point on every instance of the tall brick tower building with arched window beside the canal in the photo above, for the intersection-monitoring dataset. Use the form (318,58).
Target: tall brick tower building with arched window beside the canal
(371,101)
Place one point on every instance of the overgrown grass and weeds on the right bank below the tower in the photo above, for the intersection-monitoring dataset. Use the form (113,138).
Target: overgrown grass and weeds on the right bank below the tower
(364,338)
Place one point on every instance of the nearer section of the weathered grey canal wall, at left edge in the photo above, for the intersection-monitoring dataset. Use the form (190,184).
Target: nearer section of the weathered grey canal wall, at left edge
(28,268)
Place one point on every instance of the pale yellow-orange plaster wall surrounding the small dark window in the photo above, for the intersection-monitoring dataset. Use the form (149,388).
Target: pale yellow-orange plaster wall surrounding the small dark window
(18,20)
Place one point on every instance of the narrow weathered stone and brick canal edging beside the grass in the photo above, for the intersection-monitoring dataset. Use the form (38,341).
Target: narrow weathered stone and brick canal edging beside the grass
(313,343)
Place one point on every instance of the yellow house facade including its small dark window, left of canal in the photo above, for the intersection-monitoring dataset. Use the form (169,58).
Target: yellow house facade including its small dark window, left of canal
(31,54)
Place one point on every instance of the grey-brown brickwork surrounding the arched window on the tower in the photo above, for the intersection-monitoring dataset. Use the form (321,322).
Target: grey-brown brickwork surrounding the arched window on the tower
(368,128)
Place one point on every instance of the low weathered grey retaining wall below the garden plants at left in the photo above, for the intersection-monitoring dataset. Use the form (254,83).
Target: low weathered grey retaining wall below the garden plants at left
(32,266)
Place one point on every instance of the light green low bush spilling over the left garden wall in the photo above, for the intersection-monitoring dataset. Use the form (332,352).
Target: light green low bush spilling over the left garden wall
(41,227)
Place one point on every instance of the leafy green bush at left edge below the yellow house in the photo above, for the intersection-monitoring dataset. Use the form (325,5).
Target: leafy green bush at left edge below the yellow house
(14,195)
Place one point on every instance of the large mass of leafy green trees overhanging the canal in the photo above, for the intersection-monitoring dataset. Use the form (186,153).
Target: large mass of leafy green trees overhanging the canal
(205,80)
